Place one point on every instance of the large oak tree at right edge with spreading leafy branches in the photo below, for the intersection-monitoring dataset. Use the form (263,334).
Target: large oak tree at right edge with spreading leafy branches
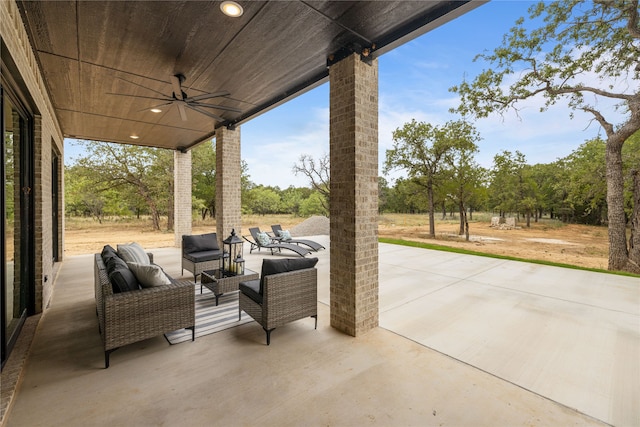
(584,52)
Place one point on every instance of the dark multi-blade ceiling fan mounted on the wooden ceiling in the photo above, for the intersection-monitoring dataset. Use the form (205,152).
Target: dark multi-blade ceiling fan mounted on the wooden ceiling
(182,101)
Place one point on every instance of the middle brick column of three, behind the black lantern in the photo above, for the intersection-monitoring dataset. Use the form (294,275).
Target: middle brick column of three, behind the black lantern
(228,172)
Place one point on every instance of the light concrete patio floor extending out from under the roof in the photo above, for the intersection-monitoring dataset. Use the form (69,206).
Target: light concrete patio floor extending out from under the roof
(463,341)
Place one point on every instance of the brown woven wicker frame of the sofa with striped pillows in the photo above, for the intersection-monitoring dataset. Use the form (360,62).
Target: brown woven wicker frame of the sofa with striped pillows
(136,315)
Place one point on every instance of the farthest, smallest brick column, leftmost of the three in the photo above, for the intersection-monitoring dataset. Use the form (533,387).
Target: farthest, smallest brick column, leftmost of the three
(182,208)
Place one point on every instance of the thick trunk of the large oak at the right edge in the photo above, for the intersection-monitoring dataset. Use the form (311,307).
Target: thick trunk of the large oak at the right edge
(618,253)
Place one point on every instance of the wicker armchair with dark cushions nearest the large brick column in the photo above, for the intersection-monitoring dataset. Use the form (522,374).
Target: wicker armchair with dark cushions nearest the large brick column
(277,299)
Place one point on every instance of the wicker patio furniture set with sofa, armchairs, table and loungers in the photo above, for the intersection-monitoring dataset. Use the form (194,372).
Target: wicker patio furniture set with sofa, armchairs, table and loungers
(137,300)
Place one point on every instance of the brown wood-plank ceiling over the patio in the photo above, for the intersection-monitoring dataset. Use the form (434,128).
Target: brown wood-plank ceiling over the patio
(96,54)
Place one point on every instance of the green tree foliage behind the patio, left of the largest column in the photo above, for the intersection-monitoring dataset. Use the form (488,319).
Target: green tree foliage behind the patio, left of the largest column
(122,180)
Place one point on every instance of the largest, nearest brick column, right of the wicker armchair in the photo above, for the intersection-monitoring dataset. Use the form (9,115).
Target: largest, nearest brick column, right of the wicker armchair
(353,149)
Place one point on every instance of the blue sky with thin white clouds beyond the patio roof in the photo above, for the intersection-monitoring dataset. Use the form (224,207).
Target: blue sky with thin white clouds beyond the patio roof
(413,83)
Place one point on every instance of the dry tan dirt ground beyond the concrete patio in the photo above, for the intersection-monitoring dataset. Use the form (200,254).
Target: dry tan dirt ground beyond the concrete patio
(580,245)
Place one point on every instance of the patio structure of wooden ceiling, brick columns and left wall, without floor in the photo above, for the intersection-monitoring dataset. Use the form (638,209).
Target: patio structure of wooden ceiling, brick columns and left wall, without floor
(175,74)
